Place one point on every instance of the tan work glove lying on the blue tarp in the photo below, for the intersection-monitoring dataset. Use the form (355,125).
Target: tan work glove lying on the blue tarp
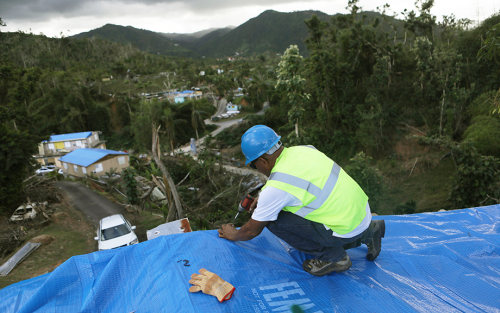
(211,284)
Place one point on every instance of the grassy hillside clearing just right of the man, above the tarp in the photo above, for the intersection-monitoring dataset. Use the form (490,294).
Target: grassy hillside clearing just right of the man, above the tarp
(429,188)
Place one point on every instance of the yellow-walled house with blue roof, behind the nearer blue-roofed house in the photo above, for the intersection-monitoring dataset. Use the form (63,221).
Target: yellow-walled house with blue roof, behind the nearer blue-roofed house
(49,151)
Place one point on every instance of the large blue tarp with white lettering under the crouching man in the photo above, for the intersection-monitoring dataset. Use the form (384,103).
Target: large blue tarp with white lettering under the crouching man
(430,262)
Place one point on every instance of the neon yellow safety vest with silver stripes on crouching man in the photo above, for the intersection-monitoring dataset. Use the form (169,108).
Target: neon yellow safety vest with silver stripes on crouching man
(329,196)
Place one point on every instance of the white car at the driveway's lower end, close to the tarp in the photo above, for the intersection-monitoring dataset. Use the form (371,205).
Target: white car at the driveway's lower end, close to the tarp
(114,232)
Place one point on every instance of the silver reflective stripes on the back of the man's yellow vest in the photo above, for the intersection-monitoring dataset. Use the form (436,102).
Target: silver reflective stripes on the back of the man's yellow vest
(320,194)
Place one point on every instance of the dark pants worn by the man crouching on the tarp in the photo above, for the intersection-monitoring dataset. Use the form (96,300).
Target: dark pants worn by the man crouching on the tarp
(313,238)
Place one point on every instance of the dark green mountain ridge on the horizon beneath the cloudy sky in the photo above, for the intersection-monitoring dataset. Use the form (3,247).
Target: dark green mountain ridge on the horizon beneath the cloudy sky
(270,32)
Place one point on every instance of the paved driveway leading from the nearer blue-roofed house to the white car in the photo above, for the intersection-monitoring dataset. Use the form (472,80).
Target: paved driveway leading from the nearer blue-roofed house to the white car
(93,205)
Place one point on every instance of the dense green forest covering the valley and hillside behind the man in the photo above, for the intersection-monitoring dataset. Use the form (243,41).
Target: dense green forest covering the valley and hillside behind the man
(367,82)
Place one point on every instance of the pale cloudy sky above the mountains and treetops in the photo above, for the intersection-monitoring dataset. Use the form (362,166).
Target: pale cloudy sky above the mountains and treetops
(51,17)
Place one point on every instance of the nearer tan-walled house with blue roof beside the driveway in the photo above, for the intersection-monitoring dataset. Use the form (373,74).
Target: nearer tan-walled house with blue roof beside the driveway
(86,161)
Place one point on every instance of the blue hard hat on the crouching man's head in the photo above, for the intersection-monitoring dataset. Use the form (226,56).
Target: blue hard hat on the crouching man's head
(258,140)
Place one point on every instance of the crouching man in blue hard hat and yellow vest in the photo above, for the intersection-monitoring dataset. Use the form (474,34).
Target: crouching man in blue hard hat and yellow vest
(309,202)
